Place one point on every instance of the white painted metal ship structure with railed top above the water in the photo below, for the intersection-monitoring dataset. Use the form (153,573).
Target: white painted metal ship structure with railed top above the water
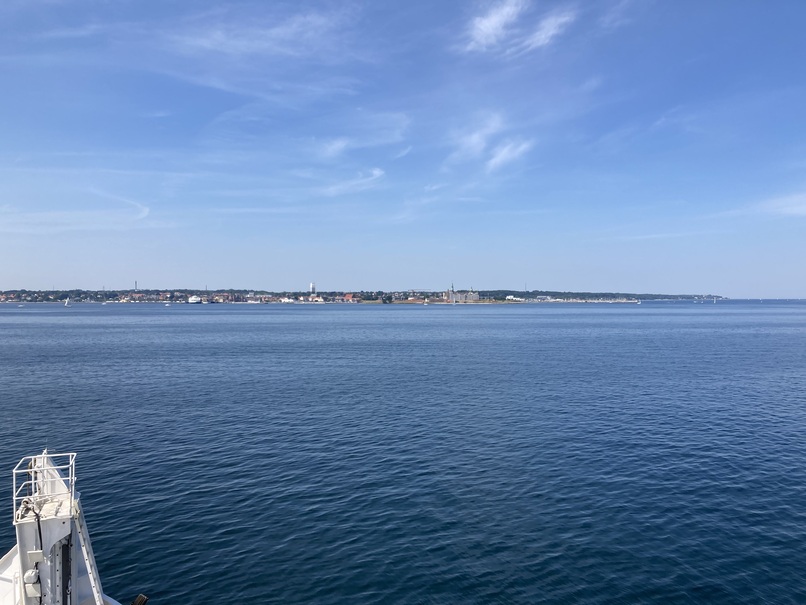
(53,562)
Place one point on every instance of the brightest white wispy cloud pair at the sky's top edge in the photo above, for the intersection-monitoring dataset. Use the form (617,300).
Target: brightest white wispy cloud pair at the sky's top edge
(500,29)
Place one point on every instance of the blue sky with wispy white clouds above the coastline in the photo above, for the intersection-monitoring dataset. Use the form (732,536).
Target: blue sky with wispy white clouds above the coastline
(617,145)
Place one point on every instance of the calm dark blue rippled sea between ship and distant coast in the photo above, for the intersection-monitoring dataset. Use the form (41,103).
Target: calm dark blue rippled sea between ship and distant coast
(391,454)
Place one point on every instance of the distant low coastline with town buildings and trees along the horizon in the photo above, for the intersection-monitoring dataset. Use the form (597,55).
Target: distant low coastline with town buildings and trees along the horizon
(449,296)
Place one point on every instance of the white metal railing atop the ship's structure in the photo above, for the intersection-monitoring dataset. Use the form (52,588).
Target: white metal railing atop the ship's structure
(44,478)
